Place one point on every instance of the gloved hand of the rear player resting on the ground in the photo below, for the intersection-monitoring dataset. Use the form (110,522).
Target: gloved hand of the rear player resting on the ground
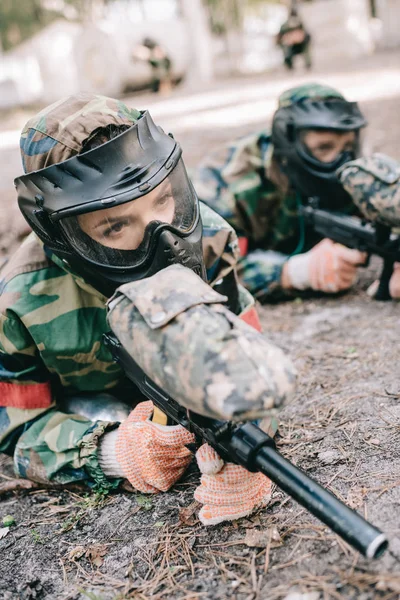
(328,267)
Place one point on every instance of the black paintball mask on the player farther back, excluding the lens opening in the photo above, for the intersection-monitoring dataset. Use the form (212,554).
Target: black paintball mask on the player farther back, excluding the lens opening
(308,175)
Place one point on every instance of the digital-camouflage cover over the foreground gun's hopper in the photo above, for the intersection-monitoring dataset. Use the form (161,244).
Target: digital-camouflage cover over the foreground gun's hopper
(228,370)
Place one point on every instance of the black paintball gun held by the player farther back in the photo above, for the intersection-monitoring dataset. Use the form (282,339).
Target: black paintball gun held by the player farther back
(354,232)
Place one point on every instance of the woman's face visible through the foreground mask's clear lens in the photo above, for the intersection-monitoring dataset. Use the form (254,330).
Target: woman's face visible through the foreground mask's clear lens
(122,227)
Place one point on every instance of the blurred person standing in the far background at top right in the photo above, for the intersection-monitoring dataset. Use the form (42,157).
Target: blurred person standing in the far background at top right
(294,39)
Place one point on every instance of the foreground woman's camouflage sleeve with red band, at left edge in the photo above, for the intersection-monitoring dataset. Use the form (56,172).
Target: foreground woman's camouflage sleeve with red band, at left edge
(48,446)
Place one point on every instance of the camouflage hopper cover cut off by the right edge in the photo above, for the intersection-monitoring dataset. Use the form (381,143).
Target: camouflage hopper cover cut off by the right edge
(374,184)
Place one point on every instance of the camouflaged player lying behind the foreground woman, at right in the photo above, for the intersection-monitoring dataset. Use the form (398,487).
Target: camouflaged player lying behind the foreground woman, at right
(258,182)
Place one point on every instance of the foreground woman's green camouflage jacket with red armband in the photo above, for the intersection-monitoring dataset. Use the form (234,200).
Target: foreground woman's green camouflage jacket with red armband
(51,327)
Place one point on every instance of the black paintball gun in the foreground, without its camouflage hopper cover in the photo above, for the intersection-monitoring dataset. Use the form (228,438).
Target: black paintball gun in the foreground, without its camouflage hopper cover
(249,446)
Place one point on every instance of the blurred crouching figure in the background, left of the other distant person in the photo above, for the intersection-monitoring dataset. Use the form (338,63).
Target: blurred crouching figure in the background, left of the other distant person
(157,57)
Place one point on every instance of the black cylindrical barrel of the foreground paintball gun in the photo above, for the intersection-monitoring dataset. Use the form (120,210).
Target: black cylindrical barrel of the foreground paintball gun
(250,449)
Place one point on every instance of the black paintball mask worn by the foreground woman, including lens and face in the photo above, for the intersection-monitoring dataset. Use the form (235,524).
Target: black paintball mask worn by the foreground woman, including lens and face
(120,212)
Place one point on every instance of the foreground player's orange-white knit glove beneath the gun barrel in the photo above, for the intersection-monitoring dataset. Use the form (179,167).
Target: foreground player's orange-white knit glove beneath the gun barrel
(228,491)
